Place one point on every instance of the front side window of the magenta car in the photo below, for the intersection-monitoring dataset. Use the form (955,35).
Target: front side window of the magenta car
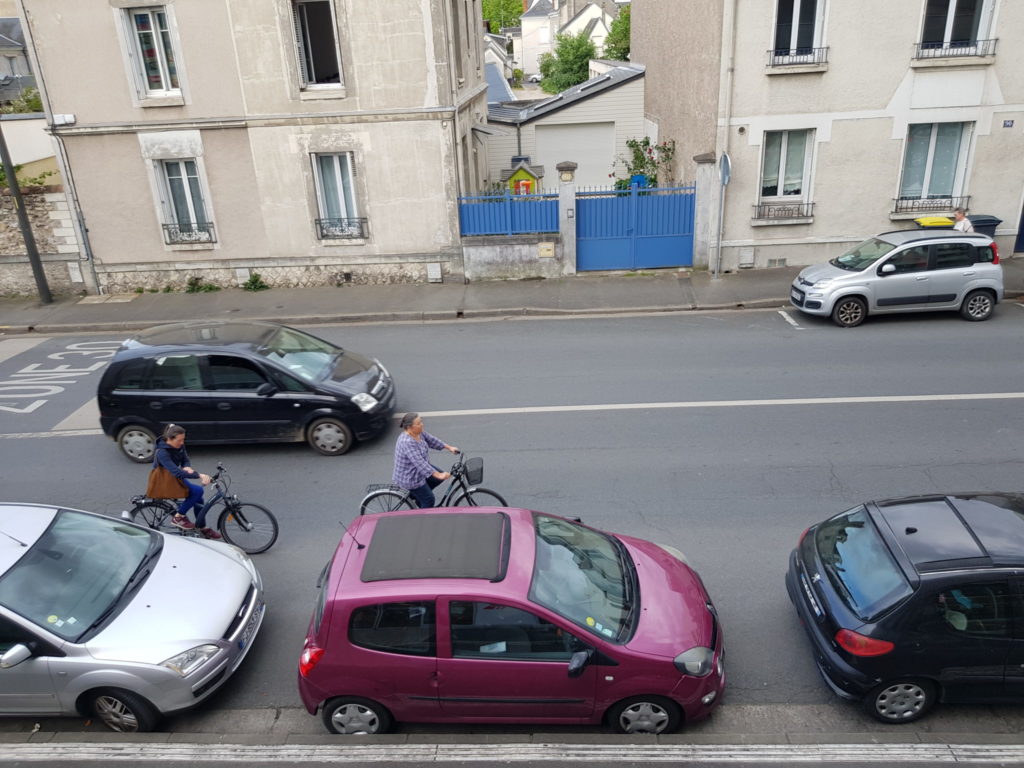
(483,630)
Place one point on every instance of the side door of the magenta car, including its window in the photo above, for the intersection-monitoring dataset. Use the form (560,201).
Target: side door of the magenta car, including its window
(506,662)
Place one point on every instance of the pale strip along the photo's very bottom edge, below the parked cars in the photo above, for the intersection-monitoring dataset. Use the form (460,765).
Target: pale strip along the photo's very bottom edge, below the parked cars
(629,753)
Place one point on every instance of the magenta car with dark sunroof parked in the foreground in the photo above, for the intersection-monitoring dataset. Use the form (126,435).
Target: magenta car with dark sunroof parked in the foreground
(505,616)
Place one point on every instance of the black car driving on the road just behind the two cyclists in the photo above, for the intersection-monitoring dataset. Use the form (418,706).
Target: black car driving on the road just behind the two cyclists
(242,382)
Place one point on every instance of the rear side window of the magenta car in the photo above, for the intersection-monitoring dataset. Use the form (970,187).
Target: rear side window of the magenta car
(407,628)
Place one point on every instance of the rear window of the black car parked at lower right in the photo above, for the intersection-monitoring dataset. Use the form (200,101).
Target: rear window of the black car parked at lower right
(860,566)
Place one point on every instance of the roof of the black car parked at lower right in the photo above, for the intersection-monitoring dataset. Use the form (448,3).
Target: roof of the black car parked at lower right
(962,531)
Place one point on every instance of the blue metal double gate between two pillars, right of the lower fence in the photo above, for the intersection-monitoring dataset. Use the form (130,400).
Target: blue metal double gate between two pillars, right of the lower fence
(635,229)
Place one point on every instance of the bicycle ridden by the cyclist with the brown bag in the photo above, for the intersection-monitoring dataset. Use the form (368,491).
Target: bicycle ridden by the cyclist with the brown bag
(251,528)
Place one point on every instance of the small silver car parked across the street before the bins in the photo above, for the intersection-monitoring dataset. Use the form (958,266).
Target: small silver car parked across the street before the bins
(909,271)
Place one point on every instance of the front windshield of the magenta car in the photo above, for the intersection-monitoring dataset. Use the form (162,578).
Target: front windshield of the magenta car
(585,577)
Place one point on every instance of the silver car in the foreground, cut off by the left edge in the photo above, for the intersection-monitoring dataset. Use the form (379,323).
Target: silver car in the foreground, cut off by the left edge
(96,619)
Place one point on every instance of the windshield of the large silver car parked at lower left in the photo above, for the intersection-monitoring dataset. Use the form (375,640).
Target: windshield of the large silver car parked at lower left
(78,573)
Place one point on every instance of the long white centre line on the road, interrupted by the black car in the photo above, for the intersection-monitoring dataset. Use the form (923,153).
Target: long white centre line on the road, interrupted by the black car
(528,410)
